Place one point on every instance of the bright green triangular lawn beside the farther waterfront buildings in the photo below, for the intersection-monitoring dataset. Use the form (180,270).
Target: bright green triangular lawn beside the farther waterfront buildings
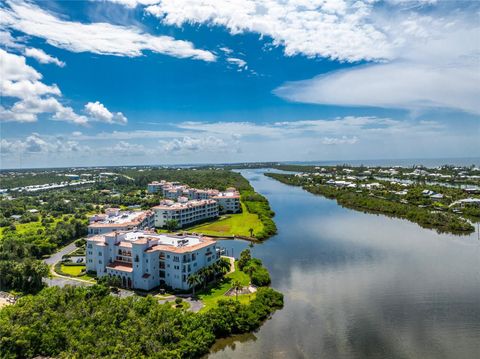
(233,224)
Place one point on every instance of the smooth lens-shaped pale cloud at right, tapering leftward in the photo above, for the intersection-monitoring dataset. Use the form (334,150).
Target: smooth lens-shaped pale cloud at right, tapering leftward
(396,85)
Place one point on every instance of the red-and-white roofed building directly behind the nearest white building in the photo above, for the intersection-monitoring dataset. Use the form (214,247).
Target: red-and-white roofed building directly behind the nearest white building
(115,220)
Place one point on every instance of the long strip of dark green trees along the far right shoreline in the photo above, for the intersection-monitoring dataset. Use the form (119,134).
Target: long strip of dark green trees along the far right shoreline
(441,221)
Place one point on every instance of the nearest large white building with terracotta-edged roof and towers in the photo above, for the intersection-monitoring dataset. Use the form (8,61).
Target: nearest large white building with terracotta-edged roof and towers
(146,260)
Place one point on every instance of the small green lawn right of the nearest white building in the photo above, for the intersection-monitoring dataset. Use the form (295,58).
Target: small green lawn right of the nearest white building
(215,292)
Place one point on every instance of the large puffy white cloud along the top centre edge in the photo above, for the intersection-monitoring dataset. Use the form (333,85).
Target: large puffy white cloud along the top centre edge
(337,29)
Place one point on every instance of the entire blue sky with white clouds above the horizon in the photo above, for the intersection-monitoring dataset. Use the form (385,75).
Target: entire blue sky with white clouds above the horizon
(180,81)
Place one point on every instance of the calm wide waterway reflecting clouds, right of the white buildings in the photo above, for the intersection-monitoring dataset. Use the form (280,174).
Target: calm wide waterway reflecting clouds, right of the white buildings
(360,286)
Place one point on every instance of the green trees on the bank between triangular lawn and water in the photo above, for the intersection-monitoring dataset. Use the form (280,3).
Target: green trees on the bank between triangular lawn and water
(258,204)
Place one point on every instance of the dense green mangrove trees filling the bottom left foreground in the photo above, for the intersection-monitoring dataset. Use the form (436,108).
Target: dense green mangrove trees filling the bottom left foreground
(74,322)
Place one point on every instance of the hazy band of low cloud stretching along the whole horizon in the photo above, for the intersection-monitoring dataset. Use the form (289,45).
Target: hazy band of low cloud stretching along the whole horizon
(343,138)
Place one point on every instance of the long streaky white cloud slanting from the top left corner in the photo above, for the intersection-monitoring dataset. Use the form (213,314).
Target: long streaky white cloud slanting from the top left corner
(99,38)
